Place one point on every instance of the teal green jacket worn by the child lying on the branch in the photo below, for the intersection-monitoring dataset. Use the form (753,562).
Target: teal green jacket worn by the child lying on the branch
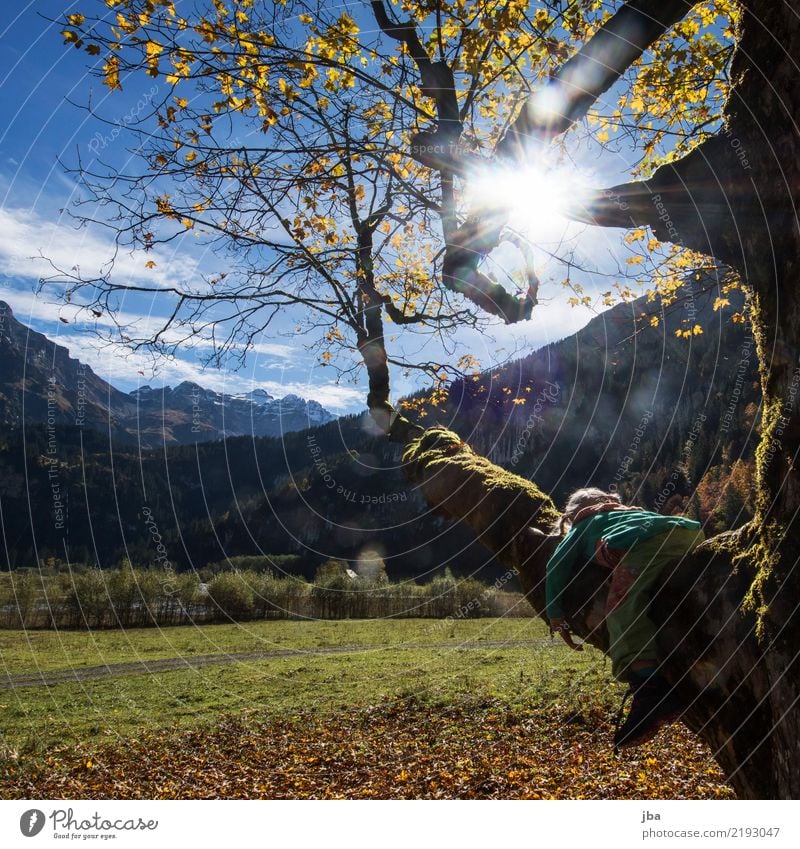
(618,529)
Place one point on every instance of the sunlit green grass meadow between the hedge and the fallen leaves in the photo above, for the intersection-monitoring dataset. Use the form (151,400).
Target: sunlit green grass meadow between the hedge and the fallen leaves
(372,661)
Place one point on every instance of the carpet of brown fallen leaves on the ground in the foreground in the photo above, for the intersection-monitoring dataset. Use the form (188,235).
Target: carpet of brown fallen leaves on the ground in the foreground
(400,750)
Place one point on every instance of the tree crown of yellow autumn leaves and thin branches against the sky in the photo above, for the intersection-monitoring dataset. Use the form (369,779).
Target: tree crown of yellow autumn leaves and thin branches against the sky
(289,140)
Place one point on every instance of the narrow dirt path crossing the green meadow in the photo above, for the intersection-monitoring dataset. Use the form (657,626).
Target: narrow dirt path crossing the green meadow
(171,664)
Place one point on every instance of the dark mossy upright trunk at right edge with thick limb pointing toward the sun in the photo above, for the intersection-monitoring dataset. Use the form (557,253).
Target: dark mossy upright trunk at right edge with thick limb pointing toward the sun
(736,198)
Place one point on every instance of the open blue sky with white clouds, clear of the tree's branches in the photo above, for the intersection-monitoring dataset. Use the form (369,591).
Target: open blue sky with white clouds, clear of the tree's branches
(45,134)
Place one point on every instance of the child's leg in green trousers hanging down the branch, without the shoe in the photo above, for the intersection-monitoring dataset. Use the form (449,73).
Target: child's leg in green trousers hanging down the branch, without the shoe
(632,633)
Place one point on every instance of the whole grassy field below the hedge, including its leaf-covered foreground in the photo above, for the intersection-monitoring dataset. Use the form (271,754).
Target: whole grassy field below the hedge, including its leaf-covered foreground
(454,685)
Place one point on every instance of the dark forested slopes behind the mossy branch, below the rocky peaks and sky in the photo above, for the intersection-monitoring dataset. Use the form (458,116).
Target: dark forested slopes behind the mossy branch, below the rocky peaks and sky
(670,423)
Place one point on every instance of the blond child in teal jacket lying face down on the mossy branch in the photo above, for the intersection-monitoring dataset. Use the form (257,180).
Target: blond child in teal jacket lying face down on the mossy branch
(636,545)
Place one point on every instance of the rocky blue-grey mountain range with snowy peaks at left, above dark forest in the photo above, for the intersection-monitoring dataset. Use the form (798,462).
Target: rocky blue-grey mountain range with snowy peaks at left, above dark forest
(40,381)
